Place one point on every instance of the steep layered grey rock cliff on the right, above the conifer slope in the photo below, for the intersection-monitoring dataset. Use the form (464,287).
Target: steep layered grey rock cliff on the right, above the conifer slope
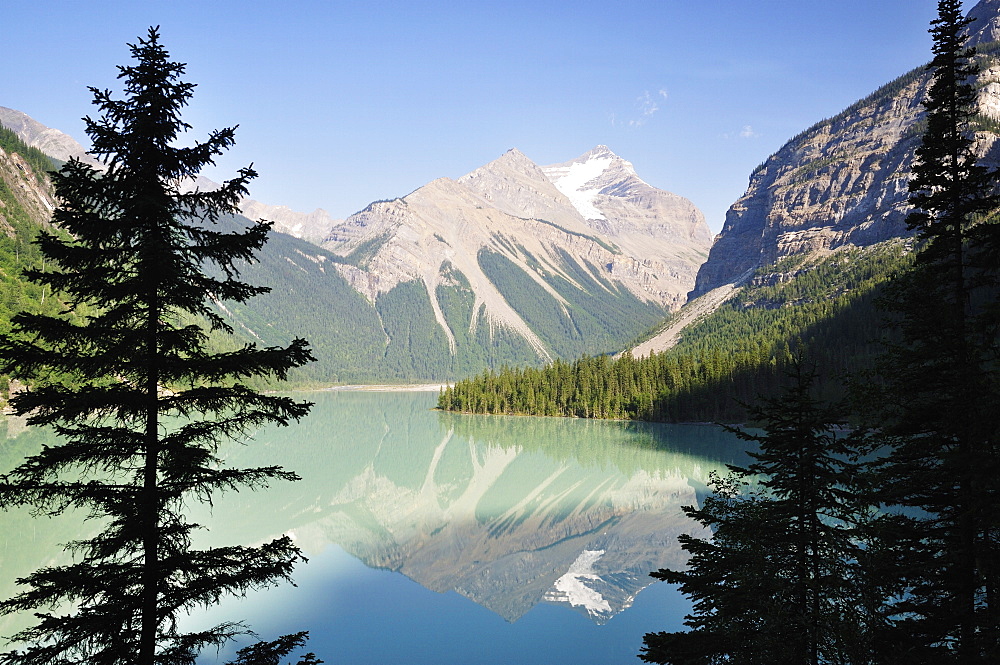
(844,180)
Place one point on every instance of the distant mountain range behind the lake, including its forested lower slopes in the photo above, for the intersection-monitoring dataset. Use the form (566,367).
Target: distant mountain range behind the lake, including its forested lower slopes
(512,264)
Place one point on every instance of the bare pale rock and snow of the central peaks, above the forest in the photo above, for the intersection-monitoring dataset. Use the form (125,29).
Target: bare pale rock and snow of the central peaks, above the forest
(592,214)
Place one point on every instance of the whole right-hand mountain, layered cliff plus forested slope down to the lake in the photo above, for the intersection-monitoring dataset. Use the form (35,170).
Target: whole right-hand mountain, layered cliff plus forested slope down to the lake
(803,258)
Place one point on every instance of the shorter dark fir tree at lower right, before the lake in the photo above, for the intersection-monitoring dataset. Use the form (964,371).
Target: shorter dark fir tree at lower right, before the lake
(779,582)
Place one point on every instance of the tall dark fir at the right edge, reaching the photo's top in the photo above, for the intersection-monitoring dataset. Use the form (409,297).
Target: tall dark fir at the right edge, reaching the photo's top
(940,410)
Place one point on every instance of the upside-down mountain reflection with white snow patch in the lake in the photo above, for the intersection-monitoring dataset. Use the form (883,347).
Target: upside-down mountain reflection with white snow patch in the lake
(509,512)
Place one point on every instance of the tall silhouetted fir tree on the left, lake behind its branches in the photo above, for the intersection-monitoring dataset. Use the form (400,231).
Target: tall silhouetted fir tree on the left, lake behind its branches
(139,402)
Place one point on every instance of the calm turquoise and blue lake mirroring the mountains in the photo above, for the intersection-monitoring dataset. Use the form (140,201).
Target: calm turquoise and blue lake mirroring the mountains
(443,538)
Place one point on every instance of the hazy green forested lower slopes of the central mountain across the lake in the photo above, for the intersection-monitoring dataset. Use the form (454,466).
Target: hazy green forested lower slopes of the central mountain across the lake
(397,338)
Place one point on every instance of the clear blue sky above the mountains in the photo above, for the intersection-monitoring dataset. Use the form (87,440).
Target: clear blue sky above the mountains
(341,103)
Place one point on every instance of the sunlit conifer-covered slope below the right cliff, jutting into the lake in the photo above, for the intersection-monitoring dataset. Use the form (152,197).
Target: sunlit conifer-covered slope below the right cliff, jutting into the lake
(821,308)
